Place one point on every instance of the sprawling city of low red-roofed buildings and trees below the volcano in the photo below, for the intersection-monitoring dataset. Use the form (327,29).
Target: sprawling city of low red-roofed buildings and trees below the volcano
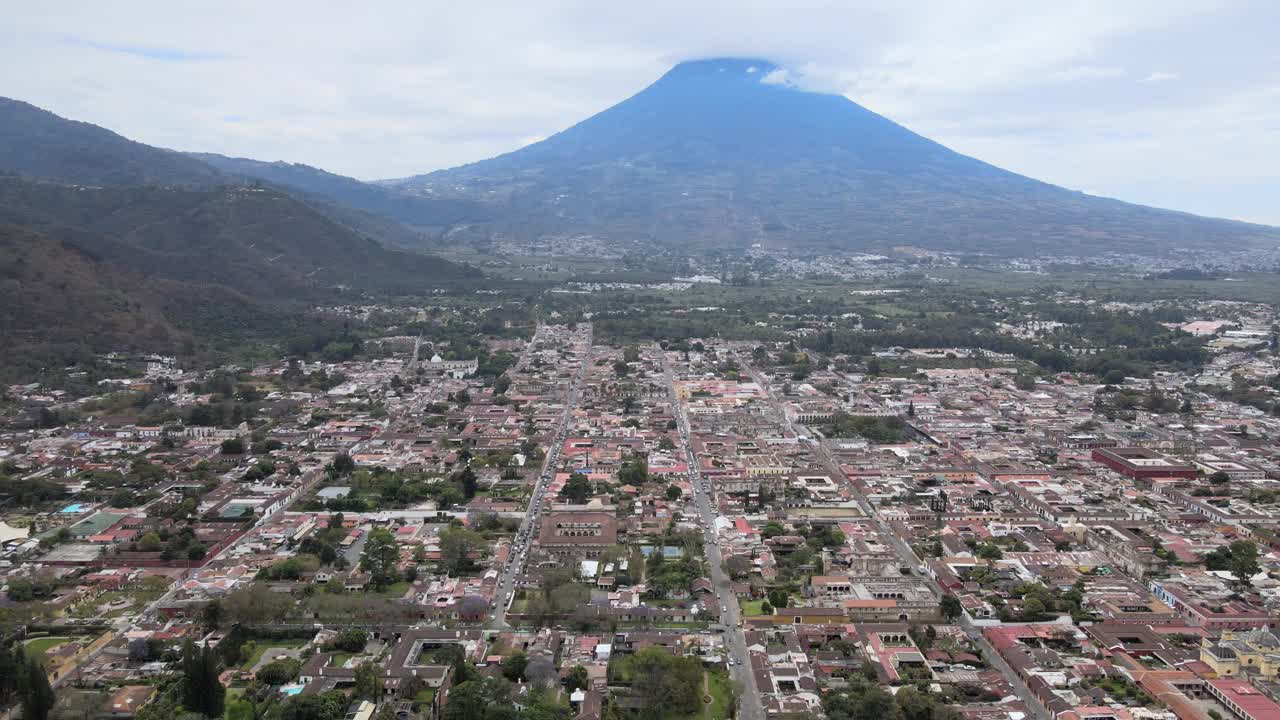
(524,527)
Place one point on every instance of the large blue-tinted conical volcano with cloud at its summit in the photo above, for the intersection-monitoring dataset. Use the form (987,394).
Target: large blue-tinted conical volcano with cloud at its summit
(728,153)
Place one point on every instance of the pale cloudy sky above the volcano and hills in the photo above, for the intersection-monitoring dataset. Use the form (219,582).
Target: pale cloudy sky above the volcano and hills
(1168,103)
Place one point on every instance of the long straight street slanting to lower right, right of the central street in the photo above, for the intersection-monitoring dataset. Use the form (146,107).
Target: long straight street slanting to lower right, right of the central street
(907,557)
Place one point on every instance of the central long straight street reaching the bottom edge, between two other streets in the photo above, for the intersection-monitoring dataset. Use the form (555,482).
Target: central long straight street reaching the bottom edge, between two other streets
(735,641)
